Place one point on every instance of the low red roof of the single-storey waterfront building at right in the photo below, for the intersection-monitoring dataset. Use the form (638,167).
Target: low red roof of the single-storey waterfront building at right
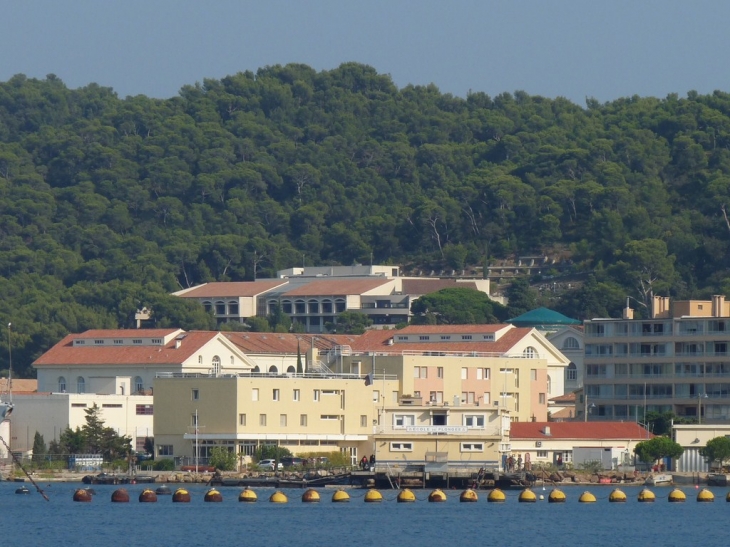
(578,430)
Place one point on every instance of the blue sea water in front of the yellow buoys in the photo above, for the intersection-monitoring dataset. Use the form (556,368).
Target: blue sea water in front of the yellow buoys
(29,520)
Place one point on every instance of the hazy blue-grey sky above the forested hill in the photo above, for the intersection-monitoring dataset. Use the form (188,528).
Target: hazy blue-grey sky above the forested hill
(594,48)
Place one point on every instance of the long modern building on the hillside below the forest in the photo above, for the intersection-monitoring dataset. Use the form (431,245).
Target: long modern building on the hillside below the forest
(314,296)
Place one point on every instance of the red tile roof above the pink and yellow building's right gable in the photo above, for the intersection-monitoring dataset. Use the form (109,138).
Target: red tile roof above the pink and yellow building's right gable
(377,341)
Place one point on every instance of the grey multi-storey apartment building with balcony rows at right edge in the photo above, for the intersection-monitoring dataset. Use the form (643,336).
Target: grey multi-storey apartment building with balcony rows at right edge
(675,360)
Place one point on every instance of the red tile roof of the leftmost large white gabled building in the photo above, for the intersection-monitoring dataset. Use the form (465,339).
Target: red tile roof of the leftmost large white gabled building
(65,353)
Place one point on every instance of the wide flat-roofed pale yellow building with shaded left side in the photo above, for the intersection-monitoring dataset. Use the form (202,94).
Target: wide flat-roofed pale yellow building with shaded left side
(307,412)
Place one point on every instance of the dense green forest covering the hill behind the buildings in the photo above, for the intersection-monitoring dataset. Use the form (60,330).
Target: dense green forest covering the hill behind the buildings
(107,204)
